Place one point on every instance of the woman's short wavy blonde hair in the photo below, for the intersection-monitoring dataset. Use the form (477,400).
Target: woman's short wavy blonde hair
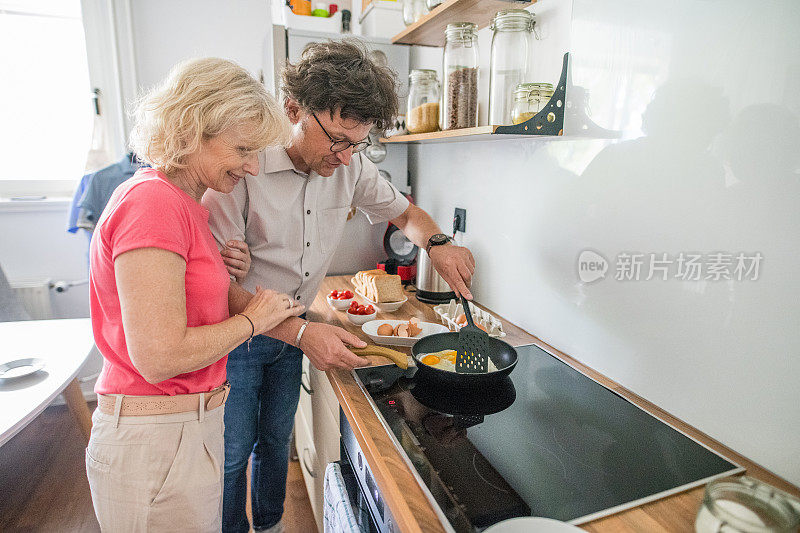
(201,98)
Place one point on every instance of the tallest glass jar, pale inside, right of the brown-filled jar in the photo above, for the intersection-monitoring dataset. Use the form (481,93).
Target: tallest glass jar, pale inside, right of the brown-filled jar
(512,46)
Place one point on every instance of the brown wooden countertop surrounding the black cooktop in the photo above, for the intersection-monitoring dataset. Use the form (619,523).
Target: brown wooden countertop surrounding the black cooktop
(402,493)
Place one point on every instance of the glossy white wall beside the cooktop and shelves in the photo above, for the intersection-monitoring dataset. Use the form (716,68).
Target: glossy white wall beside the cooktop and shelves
(705,96)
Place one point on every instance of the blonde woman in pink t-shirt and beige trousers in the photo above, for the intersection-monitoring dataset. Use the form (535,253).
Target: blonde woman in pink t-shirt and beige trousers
(160,307)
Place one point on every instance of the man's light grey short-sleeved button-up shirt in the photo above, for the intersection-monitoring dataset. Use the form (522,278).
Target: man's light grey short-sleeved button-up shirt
(293,222)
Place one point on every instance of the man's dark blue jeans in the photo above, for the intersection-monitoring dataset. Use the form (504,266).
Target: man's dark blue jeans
(259,415)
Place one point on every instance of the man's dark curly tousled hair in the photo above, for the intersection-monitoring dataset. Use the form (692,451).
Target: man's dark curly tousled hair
(341,75)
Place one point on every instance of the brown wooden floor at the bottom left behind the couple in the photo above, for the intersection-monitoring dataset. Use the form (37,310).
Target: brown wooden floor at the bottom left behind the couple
(43,484)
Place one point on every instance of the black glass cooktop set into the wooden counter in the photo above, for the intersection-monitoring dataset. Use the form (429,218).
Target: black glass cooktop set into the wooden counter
(547,442)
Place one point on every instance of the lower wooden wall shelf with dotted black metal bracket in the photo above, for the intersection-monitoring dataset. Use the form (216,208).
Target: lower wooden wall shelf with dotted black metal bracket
(549,122)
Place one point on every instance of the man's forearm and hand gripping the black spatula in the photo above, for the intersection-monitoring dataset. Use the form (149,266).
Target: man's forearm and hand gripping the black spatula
(455,263)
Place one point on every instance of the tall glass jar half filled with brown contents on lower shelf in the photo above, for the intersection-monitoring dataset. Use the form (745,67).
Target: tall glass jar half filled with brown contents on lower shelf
(460,71)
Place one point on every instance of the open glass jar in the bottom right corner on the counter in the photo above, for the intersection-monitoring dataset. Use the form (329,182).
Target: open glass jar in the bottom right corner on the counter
(746,505)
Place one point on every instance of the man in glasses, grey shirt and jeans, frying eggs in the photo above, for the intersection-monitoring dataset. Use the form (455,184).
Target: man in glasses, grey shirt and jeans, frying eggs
(292,215)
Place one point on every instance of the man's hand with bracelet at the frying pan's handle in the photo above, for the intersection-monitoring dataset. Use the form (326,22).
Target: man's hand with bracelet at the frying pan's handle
(324,346)
